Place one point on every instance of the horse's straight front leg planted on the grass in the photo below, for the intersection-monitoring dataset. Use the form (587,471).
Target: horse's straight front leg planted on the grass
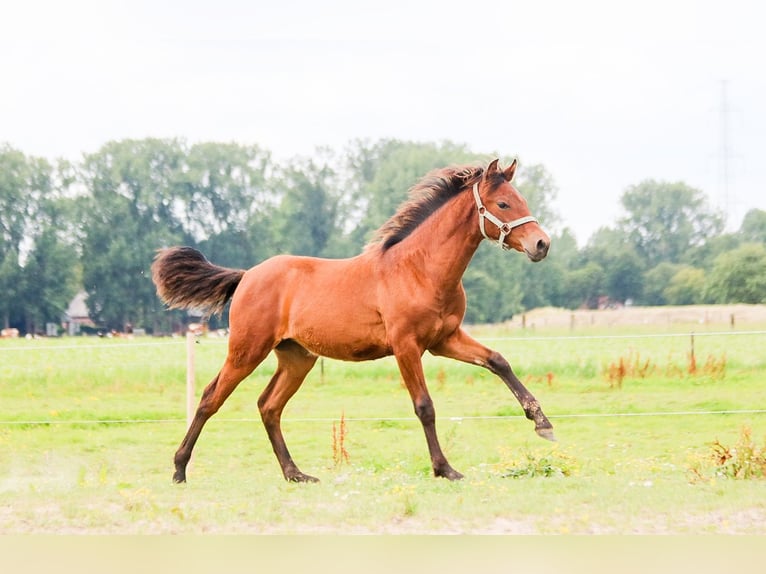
(411,367)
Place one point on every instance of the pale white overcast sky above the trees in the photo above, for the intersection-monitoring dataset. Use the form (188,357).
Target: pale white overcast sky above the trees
(603,94)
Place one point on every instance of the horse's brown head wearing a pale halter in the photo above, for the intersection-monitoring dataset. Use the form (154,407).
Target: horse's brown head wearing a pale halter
(512,225)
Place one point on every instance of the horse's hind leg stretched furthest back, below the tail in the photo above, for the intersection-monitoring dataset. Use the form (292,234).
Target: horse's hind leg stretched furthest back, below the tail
(213,397)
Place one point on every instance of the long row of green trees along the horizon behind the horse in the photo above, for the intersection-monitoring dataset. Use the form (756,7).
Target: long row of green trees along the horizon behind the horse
(95,225)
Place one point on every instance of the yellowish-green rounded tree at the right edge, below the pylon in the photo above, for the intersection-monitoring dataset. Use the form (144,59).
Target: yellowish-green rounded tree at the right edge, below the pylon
(739,276)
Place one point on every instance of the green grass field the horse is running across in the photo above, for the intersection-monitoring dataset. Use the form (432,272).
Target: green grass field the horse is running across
(88,428)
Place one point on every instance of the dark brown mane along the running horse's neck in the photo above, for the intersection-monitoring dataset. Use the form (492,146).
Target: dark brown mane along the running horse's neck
(425,197)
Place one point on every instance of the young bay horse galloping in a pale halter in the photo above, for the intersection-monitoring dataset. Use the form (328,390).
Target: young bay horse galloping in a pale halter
(402,296)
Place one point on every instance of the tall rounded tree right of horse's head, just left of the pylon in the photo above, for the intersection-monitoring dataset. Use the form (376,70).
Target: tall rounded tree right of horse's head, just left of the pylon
(665,219)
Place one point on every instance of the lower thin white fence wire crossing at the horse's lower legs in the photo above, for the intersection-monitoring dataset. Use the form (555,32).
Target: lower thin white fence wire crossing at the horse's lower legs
(387,419)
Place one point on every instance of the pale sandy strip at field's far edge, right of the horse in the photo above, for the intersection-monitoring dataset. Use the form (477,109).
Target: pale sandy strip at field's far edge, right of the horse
(737,316)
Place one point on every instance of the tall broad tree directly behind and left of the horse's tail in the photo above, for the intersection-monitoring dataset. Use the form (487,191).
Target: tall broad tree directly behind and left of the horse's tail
(130,211)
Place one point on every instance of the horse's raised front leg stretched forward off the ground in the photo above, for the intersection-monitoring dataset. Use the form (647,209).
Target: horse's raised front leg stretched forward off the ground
(463,347)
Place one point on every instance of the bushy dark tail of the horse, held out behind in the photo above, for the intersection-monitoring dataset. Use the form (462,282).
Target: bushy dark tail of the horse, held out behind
(186,279)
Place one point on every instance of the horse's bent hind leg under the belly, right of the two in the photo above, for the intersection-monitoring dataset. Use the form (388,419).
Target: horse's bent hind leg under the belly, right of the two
(294,364)
